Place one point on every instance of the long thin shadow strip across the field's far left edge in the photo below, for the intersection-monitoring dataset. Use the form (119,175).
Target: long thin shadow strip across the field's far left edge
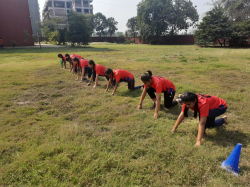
(65,50)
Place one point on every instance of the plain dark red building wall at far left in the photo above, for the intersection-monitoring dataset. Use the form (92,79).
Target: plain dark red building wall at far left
(15,19)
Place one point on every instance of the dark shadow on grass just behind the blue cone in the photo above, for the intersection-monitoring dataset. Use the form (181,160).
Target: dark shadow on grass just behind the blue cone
(227,138)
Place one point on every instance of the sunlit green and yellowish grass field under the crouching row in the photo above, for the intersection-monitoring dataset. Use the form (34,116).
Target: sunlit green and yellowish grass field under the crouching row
(55,131)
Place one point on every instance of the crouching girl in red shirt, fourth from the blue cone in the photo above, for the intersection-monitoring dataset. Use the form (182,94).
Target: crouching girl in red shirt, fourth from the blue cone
(97,70)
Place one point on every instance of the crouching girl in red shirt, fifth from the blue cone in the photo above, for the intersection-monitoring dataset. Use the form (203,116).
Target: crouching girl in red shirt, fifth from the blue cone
(82,66)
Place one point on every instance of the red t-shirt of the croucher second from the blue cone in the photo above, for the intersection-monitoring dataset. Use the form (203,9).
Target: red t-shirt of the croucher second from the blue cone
(161,84)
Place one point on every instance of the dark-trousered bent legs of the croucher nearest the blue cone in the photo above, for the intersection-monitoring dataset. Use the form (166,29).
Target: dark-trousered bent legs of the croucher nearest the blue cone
(211,122)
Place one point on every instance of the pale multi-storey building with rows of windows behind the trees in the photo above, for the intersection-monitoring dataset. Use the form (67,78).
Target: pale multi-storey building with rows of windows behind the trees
(60,8)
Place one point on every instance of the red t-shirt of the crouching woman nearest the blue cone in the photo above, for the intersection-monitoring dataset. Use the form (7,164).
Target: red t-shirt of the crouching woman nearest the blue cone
(206,103)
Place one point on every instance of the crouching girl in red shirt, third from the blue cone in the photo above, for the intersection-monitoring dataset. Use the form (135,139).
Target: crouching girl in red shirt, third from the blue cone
(120,75)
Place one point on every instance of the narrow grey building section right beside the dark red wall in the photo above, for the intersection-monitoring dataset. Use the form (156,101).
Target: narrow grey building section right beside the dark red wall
(34,16)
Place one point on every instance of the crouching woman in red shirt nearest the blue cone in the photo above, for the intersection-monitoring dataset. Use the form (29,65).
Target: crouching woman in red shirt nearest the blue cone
(209,107)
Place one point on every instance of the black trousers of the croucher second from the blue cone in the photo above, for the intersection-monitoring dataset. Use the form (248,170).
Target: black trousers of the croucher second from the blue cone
(168,97)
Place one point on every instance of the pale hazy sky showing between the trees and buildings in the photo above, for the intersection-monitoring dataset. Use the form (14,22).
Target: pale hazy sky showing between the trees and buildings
(122,10)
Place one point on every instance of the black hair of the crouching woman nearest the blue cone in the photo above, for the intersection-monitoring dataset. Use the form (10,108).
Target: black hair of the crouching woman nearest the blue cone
(190,97)
